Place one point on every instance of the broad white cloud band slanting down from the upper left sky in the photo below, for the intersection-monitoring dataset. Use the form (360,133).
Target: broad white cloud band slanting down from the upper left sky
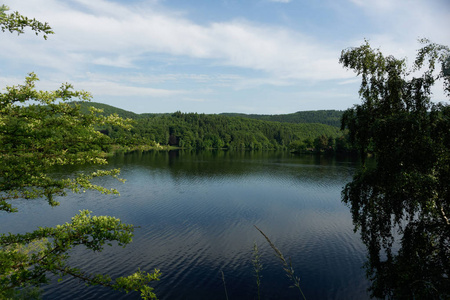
(110,34)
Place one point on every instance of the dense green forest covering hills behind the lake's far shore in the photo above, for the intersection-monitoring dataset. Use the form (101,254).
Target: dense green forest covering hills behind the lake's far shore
(301,131)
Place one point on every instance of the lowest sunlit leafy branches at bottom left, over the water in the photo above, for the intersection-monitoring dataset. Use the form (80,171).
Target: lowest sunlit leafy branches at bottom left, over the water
(26,258)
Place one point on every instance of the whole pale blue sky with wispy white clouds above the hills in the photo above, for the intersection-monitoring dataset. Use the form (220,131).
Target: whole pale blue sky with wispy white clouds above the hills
(215,56)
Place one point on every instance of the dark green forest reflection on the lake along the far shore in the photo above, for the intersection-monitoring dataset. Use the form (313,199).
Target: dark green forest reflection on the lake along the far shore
(232,164)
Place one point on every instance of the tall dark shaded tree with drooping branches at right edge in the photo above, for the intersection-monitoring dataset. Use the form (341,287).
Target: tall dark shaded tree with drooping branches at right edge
(403,198)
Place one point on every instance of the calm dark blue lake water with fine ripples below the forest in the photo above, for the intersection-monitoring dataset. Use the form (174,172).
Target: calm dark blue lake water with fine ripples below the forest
(197,212)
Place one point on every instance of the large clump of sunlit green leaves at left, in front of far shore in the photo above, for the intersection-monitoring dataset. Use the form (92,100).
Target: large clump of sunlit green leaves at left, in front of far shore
(40,130)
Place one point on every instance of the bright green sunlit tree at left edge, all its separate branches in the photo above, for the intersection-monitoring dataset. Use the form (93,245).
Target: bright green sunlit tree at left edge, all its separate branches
(40,130)
